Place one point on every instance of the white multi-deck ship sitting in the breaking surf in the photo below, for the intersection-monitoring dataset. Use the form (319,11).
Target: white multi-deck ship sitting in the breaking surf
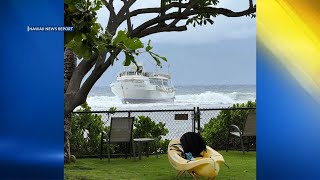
(134,85)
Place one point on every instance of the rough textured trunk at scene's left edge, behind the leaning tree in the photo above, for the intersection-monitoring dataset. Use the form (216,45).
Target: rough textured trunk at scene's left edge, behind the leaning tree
(69,67)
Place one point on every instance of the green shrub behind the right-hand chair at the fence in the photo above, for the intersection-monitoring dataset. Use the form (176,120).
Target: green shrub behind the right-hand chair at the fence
(215,132)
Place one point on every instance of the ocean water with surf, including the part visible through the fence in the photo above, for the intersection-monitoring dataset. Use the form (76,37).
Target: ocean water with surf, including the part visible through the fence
(187,97)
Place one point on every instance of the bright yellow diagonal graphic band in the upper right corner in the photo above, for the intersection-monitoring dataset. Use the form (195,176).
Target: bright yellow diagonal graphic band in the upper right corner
(290,30)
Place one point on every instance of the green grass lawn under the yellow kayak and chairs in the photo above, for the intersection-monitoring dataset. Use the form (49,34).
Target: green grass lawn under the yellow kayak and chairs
(241,167)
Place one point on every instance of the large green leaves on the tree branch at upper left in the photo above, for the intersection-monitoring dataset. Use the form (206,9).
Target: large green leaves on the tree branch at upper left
(89,38)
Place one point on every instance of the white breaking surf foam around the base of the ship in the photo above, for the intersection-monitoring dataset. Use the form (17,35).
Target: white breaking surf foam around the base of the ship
(206,99)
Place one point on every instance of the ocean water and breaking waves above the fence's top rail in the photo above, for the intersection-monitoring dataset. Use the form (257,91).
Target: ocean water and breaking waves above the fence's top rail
(187,97)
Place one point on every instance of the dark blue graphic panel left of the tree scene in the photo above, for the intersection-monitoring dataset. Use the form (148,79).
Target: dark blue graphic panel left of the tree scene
(31,130)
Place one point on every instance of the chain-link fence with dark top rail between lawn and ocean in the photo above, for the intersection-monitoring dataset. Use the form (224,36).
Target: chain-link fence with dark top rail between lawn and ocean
(178,121)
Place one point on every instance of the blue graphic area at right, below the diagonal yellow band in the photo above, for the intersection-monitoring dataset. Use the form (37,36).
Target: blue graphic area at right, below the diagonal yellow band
(287,124)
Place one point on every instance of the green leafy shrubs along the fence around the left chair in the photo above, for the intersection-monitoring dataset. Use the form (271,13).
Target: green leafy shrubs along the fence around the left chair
(87,128)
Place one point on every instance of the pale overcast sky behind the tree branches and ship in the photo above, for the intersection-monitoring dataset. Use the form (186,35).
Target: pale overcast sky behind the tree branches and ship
(222,53)
